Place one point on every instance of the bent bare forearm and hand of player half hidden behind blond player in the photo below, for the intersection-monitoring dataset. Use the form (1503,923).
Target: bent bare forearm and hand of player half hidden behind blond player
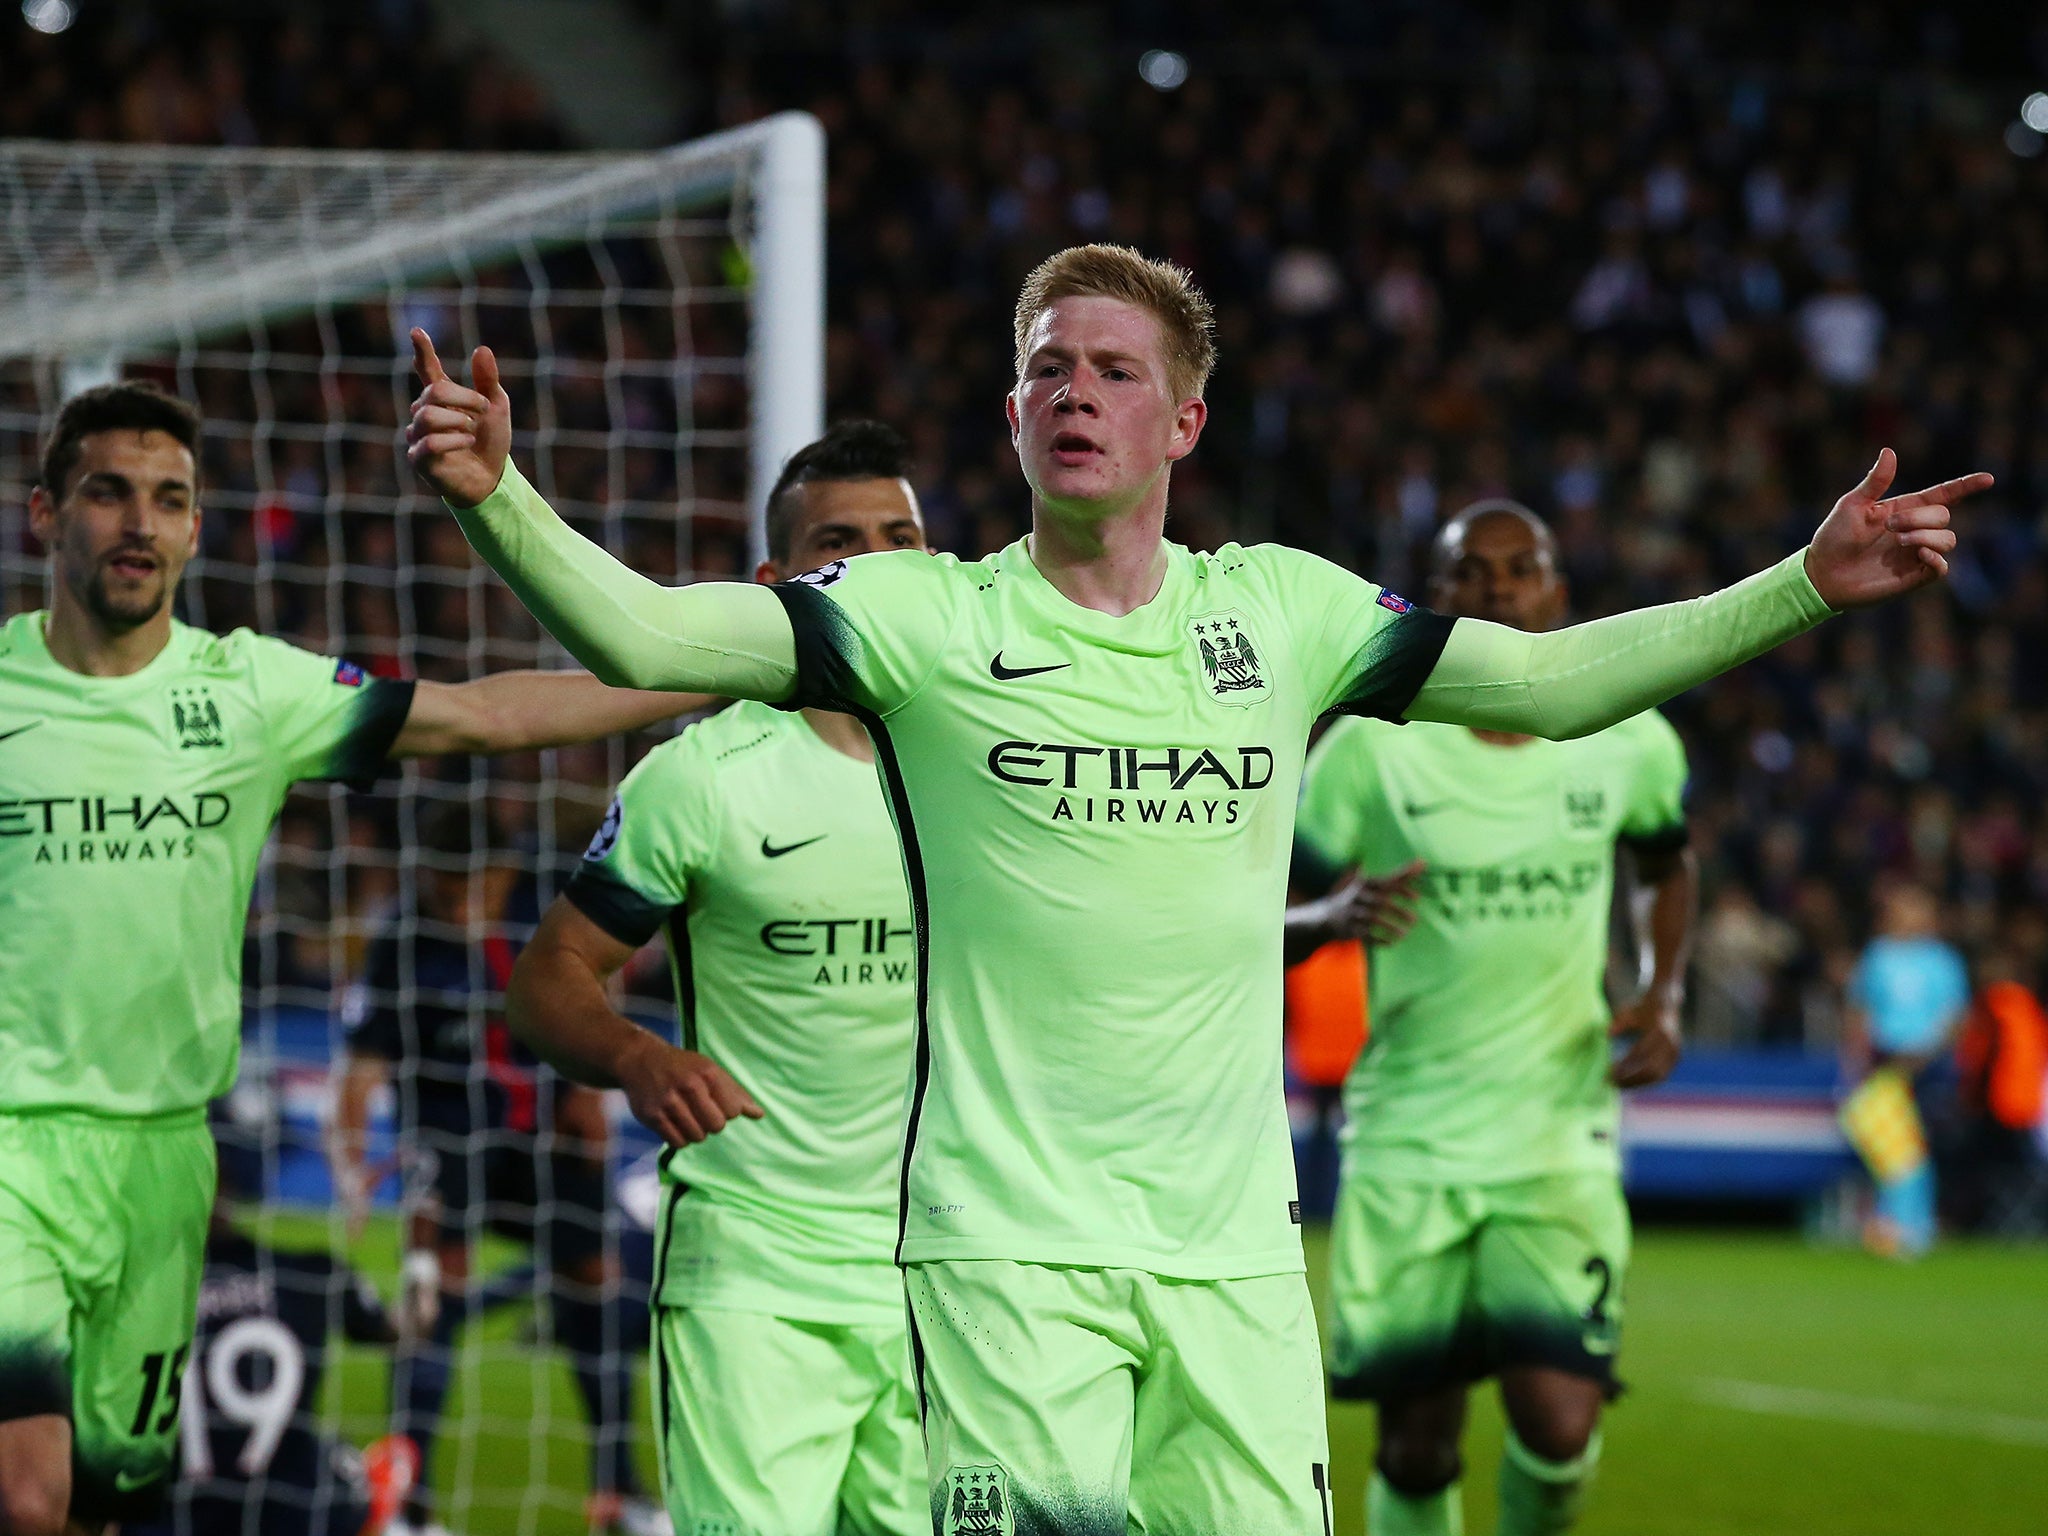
(558,1007)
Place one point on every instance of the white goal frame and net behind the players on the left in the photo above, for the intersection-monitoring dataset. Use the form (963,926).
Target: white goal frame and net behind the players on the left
(660,329)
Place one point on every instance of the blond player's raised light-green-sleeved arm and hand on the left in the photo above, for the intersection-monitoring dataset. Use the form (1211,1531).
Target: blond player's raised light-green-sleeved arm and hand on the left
(718,638)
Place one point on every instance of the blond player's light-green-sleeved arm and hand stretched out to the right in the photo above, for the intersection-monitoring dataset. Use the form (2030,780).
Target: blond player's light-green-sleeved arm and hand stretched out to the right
(1584,679)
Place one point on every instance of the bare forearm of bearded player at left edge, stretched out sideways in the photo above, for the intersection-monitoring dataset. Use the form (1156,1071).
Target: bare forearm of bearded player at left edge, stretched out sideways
(519,712)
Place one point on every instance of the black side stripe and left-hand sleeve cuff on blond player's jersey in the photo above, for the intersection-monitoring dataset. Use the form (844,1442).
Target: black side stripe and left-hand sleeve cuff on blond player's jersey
(826,679)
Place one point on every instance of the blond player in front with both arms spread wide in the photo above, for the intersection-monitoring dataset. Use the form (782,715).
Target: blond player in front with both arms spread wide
(1093,742)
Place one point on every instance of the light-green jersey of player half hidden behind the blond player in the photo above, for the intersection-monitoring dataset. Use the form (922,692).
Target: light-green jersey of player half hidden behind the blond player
(769,859)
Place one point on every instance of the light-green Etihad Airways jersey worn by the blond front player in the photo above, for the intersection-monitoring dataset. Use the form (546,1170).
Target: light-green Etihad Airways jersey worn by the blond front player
(1097,816)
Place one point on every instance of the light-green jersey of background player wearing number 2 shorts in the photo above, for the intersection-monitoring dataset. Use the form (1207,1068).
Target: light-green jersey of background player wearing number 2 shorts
(1490,1019)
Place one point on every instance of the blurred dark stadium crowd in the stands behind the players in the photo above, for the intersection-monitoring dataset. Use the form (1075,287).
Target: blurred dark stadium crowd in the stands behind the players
(1670,278)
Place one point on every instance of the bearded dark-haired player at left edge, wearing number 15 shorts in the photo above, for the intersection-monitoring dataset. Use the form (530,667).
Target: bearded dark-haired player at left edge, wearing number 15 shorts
(142,765)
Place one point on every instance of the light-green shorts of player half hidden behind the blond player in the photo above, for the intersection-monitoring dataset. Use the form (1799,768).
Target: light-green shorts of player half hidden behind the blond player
(783,1428)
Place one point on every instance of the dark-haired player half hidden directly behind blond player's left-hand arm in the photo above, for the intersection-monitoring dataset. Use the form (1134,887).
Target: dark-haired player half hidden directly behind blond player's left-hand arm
(761,845)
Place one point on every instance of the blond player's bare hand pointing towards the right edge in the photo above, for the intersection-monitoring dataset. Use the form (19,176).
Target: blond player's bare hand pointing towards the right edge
(1871,548)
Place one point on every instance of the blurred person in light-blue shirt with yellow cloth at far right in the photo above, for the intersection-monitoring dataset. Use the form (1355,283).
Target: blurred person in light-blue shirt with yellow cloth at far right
(1908,996)
